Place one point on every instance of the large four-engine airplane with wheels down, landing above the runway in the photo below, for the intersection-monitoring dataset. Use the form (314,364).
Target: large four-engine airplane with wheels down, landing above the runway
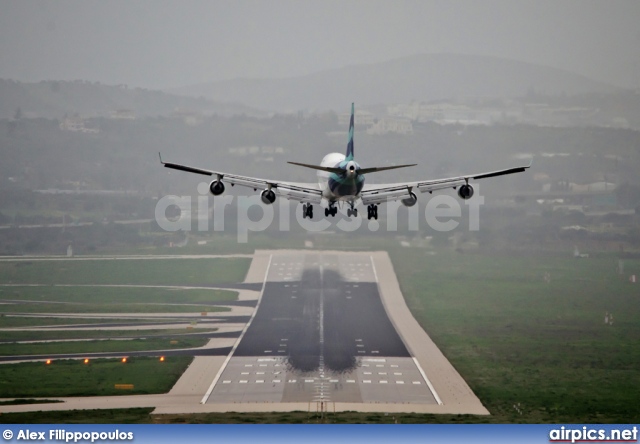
(341,179)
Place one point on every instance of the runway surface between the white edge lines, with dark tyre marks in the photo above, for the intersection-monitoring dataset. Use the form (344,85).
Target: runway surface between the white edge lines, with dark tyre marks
(321,333)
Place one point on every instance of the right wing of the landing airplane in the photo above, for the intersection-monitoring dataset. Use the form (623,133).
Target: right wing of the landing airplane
(375,194)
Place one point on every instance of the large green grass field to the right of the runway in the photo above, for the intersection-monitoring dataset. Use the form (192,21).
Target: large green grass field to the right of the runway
(519,340)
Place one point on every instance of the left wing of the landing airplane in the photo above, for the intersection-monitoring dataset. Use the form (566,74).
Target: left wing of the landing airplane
(303,192)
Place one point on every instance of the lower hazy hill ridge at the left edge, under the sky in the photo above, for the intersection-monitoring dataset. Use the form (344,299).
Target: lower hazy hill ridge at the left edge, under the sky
(54,99)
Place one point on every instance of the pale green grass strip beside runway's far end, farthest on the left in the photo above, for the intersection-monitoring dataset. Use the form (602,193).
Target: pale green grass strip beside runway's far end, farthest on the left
(131,271)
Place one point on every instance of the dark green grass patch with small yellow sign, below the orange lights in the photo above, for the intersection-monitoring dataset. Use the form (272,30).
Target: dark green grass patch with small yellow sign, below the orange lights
(74,378)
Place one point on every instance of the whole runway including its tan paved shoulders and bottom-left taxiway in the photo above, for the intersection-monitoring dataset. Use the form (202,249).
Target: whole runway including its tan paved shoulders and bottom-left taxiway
(317,329)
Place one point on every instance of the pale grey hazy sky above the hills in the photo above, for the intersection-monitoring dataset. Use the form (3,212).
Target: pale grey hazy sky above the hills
(158,44)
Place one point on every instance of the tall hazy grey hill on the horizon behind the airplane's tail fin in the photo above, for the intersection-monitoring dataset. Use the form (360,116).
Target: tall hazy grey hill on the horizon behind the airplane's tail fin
(416,78)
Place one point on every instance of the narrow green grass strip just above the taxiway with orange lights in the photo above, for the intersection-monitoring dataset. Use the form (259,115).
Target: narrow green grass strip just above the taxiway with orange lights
(108,345)
